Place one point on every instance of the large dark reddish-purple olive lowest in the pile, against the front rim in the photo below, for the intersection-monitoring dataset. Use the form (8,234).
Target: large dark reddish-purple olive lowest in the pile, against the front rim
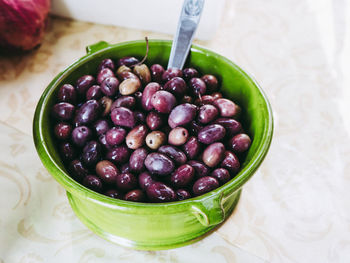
(158,192)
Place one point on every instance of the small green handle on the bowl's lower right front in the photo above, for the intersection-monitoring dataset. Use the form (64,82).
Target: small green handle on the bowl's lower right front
(209,212)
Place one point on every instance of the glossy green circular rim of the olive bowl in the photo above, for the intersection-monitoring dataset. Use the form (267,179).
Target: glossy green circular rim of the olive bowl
(75,187)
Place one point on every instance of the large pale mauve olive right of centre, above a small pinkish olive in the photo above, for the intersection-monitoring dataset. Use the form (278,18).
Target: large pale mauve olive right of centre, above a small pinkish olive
(182,115)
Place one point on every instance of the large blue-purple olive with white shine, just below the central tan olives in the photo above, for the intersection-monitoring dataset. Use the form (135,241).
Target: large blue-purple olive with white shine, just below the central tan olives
(159,164)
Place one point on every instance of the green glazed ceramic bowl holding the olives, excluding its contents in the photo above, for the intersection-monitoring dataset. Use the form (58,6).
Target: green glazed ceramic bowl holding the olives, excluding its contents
(158,226)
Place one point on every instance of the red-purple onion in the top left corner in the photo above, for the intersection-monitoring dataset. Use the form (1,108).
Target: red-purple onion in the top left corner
(22,23)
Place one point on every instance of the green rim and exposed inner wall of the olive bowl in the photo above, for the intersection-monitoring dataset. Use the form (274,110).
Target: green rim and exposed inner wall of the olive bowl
(235,84)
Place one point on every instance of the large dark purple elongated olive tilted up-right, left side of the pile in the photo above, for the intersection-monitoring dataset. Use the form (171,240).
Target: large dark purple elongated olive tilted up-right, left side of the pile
(87,113)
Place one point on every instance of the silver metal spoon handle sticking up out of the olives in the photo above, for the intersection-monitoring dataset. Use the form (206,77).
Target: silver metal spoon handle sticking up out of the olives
(188,22)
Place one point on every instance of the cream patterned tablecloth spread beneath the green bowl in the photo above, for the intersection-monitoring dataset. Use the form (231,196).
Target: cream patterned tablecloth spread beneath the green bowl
(296,208)
